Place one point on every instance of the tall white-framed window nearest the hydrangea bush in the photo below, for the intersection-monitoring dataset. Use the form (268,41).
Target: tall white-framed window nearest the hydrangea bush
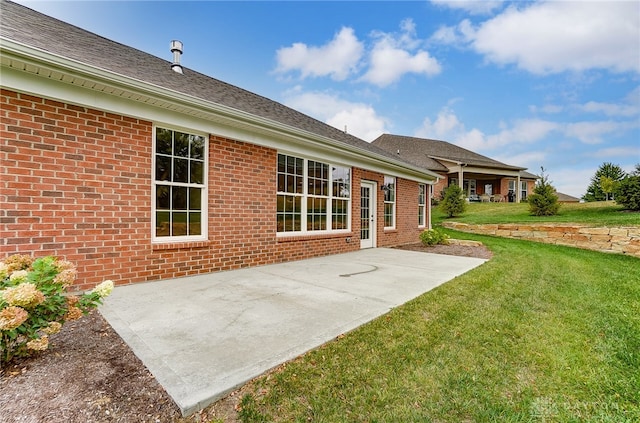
(179,186)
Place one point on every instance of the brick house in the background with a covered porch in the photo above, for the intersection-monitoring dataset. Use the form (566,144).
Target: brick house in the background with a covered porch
(481,178)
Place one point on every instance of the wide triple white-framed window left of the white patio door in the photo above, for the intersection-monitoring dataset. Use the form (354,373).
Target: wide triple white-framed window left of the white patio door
(313,196)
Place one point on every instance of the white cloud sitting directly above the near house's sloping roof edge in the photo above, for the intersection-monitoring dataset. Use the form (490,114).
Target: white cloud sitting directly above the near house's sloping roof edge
(359,119)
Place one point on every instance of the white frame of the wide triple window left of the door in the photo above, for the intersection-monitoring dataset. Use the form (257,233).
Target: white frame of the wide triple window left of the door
(305,195)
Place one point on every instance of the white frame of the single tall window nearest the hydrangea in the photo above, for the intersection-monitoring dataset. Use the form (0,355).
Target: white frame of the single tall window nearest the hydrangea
(204,201)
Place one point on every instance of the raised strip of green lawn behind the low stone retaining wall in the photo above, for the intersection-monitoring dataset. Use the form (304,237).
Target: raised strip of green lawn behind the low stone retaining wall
(596,213)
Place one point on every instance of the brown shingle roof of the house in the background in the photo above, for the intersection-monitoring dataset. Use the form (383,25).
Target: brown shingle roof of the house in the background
(426,152)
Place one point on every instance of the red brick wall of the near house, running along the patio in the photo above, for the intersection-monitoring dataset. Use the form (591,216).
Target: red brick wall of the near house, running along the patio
(76,183)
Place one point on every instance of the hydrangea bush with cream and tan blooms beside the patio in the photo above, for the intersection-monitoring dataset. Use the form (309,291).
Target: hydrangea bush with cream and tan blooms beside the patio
(34,302)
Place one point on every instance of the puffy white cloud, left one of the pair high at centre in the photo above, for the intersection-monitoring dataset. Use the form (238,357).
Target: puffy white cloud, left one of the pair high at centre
(338,58)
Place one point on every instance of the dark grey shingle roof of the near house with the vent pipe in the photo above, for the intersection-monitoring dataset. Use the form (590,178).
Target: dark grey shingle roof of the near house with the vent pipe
(26,26)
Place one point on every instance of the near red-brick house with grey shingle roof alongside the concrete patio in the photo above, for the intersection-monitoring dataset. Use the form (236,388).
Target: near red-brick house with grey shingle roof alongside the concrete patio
(138,169)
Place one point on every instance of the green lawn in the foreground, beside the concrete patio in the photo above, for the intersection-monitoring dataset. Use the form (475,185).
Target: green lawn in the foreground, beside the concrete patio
(540,333)
